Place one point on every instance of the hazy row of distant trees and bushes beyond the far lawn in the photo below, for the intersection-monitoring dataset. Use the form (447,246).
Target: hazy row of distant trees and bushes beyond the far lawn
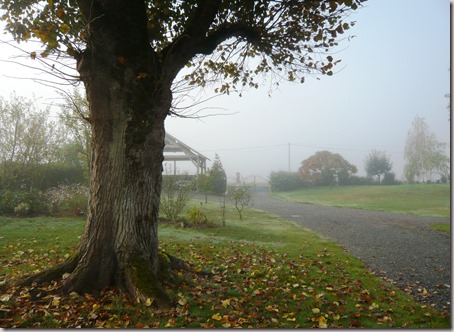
(425,159)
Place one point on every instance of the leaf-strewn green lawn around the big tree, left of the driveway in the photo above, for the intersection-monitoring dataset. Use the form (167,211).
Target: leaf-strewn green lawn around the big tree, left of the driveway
(258,272)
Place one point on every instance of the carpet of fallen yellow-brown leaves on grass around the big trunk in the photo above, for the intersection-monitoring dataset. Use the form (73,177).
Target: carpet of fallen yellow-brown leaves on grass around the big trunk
(230,284)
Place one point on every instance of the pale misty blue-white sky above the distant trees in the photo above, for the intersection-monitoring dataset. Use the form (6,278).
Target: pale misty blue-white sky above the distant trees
(396,68)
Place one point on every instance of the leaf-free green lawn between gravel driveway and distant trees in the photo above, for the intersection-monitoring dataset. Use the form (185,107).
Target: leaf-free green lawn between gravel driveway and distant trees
(423,199)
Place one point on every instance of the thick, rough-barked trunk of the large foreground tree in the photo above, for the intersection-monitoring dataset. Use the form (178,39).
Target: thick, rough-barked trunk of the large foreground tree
(129,99)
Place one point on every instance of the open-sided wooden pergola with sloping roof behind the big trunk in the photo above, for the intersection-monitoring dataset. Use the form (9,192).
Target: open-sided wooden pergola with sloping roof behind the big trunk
(176,150)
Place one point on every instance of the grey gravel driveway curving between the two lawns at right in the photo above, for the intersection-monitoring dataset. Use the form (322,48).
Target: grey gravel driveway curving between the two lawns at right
(402,248)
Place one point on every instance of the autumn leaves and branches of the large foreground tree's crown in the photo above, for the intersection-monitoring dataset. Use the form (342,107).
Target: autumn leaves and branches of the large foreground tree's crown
(216,39)
